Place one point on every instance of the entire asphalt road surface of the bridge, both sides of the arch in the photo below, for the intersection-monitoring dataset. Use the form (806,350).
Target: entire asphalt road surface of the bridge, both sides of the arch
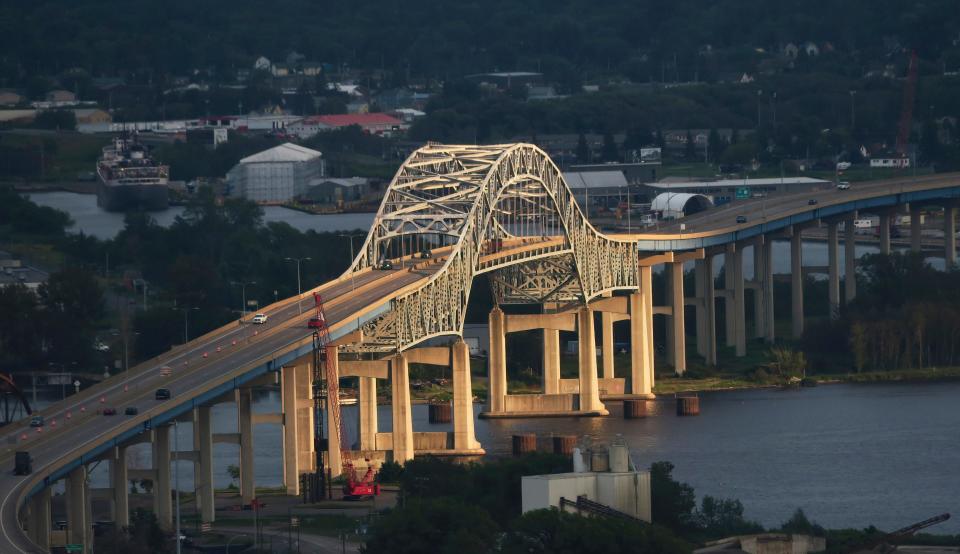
(74,426)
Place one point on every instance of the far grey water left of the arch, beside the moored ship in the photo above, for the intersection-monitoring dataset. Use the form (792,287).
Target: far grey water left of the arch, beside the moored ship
(91,220)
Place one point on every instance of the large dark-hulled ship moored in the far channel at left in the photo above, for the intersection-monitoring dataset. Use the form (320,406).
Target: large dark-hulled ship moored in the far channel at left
(130,179)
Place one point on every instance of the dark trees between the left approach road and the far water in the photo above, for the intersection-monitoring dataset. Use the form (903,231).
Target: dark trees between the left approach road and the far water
(204,263)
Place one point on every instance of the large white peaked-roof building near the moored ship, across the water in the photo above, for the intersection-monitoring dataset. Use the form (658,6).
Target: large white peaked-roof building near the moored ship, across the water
(275,175)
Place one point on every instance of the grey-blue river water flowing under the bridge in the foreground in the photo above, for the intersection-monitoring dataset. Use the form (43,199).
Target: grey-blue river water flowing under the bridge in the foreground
(849,455)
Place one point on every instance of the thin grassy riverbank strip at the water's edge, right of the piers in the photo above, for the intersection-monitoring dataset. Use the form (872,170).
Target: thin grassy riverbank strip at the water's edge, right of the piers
(673,385)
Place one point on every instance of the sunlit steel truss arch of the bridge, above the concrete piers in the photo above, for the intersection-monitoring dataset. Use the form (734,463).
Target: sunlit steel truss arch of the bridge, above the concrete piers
(467,204)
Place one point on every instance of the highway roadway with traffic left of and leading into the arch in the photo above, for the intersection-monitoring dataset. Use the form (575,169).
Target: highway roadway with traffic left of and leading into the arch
(202,365)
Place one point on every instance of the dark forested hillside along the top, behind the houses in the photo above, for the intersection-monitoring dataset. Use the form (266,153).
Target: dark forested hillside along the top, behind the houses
(567,39)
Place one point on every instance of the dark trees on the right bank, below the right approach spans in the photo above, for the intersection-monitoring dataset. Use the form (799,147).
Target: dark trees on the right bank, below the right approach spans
(906,315)
